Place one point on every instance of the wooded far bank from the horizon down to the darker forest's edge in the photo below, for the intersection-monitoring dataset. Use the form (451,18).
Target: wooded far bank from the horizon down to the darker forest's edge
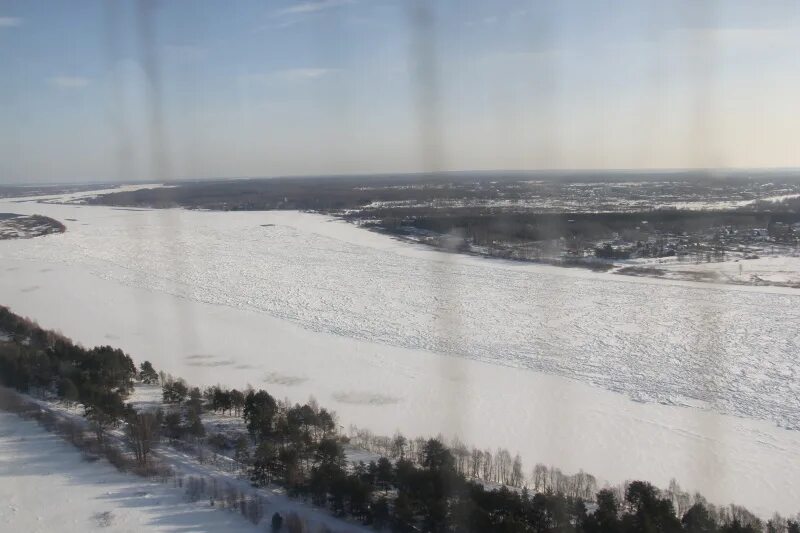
(481,208)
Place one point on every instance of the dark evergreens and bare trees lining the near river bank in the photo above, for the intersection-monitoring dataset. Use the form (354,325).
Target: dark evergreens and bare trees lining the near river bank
(413,485)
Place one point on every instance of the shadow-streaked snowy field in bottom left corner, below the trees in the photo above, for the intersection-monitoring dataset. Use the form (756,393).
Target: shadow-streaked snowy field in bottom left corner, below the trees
(46,485)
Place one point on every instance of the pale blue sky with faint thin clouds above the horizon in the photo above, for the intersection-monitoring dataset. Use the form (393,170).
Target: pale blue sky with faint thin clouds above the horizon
(159,90)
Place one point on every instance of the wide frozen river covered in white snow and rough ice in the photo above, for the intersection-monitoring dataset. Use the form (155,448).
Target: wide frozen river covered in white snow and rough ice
(395,336)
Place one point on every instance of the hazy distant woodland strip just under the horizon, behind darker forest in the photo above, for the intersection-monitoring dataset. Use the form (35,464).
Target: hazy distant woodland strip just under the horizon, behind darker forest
(347,193)
